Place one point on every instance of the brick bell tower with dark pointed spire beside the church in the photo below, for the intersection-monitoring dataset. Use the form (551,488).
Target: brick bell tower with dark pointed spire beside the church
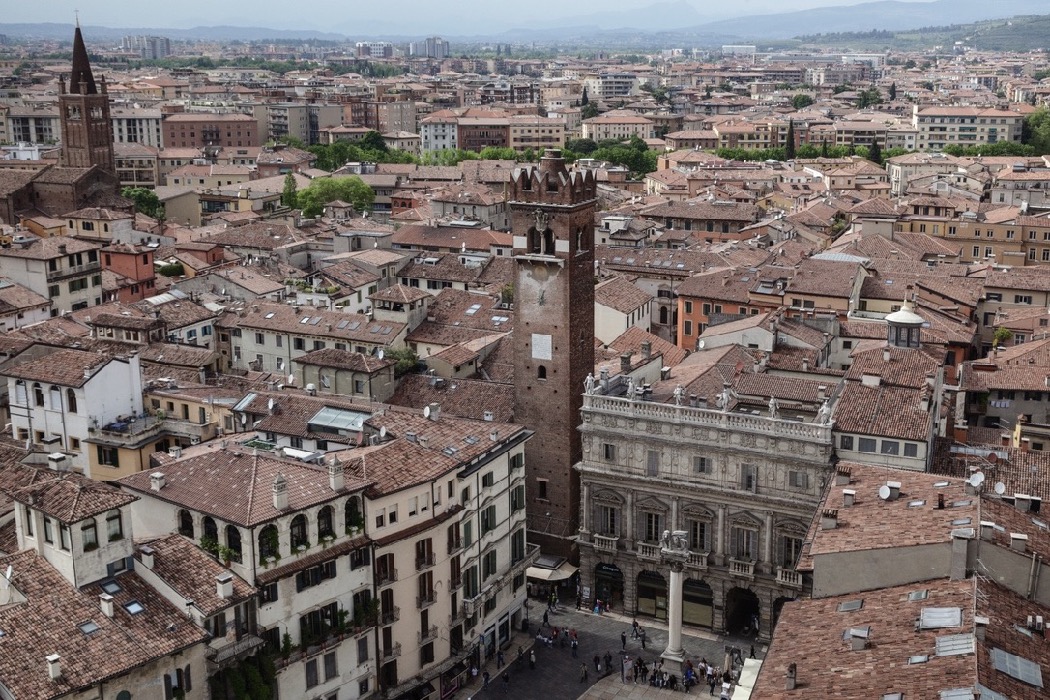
(88,134)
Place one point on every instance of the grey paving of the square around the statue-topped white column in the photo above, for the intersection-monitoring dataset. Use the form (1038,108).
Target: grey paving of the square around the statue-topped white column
(557,674)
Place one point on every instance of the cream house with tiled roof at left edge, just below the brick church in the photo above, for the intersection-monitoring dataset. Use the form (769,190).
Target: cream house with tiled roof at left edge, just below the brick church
(66,270)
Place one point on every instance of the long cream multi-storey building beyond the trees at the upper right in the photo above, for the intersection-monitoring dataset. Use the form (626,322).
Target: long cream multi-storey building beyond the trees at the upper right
(940,126)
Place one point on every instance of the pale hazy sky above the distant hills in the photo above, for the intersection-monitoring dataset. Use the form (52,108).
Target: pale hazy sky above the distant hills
(343,16)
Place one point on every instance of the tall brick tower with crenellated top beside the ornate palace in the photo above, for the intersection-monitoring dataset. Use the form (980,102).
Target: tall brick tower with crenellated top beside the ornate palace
(553,220)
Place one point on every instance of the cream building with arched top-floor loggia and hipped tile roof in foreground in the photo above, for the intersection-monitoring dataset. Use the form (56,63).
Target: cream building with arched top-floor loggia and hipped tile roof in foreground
(291,529)
